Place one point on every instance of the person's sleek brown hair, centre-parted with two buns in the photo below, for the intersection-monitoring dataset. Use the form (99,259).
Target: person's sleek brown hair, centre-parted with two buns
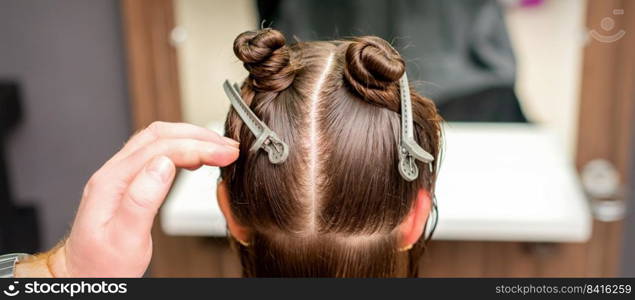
(333,207)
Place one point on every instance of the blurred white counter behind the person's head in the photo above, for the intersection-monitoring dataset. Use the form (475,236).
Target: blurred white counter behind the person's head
(497,182)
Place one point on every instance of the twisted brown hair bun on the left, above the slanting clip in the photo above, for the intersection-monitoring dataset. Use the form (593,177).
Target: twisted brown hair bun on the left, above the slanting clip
(267,59)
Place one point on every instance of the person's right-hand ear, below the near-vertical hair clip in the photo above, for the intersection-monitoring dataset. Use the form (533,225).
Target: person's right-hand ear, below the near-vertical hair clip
(412,227)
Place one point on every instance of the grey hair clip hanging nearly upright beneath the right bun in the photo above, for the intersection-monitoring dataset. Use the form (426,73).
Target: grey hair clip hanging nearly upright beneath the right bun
(409,150)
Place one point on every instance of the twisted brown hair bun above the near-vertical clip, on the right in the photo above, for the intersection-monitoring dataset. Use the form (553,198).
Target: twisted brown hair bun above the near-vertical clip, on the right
(372,68)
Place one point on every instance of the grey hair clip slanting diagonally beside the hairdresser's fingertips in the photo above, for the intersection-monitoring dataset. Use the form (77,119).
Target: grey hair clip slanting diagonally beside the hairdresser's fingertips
(277,150)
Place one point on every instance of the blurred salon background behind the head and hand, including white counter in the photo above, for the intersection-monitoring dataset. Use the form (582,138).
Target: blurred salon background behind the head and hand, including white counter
(538,95)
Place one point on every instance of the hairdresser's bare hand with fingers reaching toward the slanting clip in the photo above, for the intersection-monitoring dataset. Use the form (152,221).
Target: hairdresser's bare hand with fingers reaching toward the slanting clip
(111,233)
